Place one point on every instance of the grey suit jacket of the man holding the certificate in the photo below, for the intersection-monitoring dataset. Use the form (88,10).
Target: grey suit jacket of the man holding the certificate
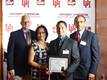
(73,57)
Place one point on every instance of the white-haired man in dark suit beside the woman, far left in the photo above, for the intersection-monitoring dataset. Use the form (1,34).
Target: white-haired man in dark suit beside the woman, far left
(17,50)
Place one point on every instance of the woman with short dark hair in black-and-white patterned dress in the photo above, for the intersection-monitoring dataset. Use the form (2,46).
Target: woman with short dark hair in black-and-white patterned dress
(38,57)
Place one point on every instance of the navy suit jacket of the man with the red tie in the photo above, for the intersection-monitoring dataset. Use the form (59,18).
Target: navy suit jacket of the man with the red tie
(89,55)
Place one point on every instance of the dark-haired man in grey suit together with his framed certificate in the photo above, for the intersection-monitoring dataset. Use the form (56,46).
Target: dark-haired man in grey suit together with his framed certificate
(64,54)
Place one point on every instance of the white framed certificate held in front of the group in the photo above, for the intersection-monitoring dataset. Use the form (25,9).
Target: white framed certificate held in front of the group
(56,64)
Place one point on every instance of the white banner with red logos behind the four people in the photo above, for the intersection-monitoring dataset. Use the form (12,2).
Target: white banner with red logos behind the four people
(46,12)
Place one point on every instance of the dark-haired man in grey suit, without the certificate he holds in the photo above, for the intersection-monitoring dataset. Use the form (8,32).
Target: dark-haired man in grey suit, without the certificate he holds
(64,47)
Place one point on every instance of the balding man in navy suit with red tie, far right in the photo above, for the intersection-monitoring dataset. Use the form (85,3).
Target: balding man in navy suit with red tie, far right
(88,48)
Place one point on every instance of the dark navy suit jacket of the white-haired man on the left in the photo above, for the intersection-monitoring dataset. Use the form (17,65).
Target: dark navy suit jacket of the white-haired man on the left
(17,52)
